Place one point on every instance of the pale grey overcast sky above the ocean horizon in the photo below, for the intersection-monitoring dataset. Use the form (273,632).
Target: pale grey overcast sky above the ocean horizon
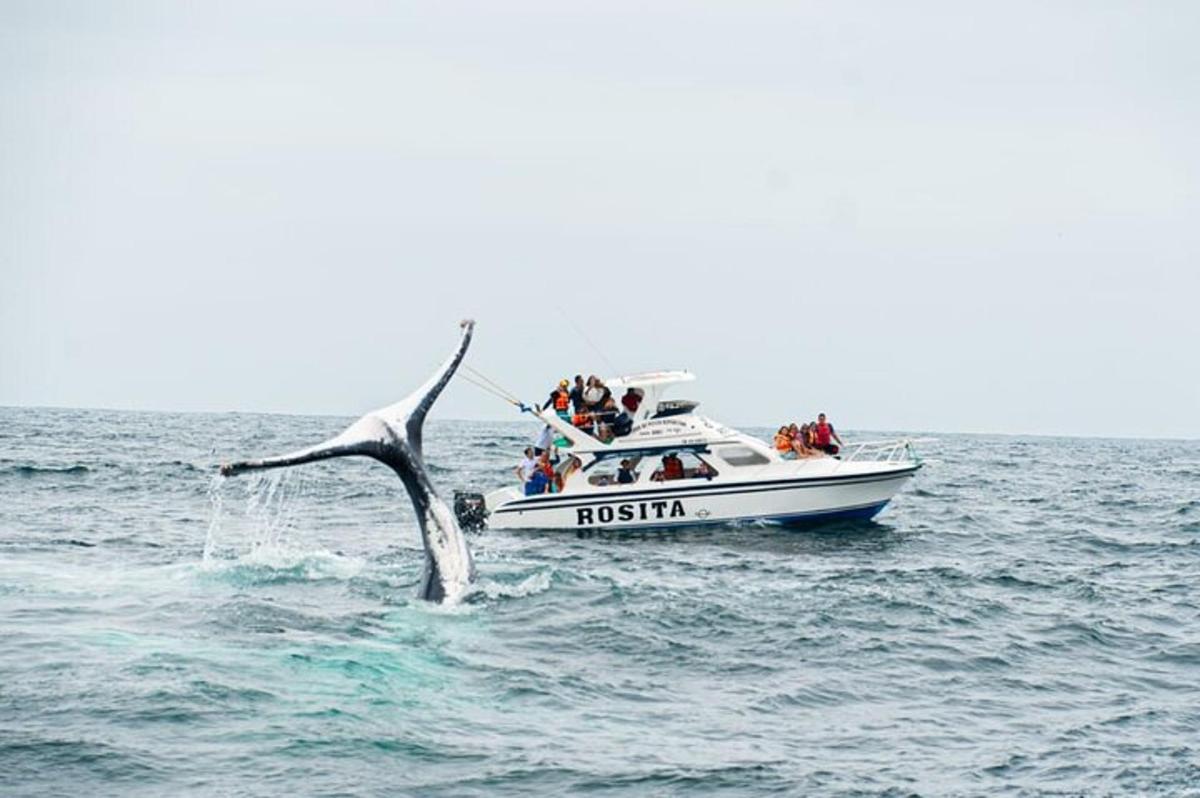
(945,217)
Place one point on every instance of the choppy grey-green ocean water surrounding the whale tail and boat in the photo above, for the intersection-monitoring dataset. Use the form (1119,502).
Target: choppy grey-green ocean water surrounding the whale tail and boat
(1023,620)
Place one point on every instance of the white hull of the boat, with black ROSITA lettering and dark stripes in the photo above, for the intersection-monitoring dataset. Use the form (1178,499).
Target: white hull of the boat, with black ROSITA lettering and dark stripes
(788,502)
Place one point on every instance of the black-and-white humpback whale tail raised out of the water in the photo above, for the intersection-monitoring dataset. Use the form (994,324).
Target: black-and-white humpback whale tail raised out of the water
(393,436)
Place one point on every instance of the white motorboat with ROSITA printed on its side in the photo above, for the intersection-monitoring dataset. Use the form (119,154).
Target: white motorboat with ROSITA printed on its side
(727,477)
